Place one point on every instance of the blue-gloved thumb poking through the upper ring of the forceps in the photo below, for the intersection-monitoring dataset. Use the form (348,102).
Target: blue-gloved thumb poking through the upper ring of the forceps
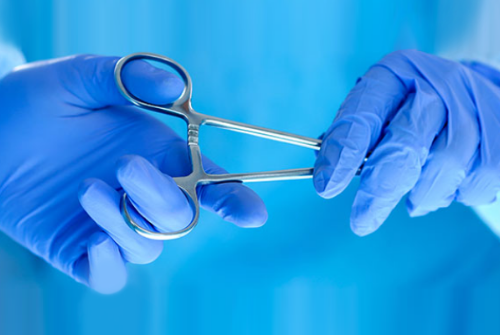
(89,82)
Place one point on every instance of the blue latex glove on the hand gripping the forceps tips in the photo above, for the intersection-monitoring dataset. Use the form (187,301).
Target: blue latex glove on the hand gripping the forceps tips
(433,129)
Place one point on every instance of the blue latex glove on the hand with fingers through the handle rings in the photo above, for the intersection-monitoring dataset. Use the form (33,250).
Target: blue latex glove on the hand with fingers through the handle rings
(63,121)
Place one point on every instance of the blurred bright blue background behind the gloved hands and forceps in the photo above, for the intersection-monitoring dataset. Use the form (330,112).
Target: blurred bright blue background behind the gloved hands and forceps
(285,65)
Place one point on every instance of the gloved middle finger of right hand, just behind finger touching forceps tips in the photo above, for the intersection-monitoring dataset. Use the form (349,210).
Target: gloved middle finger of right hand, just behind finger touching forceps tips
(395,164)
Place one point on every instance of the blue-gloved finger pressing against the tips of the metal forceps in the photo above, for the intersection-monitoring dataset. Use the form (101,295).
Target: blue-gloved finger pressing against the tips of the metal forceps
(356,129)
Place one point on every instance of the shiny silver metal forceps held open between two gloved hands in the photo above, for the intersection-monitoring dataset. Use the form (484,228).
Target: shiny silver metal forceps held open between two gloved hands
(182,108)
